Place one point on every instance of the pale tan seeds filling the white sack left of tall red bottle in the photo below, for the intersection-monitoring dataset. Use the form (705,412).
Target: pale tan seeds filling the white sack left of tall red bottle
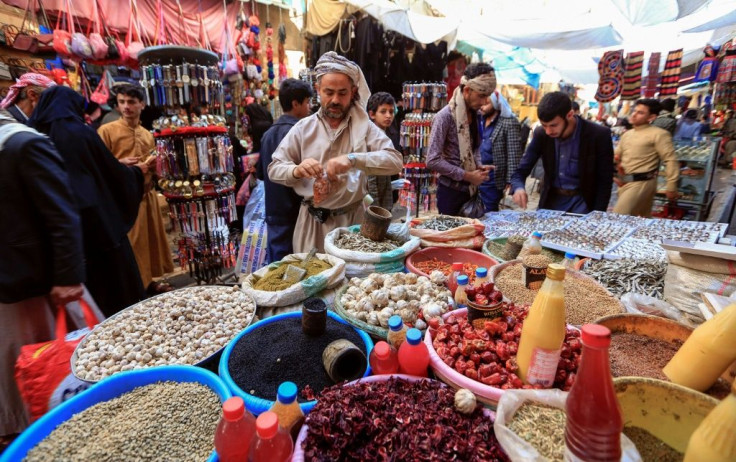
(543,427)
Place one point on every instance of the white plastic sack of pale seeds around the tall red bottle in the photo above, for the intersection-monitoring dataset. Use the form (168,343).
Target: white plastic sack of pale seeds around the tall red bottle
(548,429)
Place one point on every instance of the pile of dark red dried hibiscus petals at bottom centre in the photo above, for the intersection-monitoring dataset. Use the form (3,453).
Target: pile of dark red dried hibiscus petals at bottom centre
(397,420)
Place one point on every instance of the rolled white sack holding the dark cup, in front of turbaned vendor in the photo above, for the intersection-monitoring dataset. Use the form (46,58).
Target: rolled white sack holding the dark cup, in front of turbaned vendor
(362,263)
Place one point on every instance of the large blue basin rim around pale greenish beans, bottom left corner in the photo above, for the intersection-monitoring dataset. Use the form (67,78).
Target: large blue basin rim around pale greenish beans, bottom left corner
(106,390)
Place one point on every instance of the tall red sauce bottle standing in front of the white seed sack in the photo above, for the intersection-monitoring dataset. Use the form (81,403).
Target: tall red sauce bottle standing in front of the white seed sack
(594,422)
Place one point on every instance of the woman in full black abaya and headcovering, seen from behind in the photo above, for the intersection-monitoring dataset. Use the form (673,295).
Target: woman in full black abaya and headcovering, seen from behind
(107,195)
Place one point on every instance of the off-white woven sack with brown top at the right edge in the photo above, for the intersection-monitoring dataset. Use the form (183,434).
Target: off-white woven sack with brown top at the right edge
(689,276)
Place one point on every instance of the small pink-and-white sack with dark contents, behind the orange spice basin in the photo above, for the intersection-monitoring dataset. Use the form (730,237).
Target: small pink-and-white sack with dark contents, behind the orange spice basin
(431,230)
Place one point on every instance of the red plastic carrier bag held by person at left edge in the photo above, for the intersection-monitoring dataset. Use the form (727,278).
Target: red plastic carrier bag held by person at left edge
(43,370)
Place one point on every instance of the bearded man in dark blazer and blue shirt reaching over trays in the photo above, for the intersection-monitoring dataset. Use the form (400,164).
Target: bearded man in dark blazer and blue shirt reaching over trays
(577,156)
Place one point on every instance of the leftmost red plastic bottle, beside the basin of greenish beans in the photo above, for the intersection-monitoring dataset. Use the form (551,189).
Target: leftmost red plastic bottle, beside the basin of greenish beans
(235,431)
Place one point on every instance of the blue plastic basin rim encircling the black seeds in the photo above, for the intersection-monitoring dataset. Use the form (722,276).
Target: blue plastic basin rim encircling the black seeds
(258,405)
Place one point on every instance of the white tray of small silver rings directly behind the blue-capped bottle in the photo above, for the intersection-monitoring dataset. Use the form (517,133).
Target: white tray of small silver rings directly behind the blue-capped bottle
(593,237)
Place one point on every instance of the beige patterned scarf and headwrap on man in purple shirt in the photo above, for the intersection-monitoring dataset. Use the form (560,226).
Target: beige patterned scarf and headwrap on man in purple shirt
(485,83)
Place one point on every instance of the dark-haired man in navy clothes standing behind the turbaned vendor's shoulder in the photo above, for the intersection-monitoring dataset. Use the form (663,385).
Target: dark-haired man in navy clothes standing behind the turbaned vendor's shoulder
(282,203)
